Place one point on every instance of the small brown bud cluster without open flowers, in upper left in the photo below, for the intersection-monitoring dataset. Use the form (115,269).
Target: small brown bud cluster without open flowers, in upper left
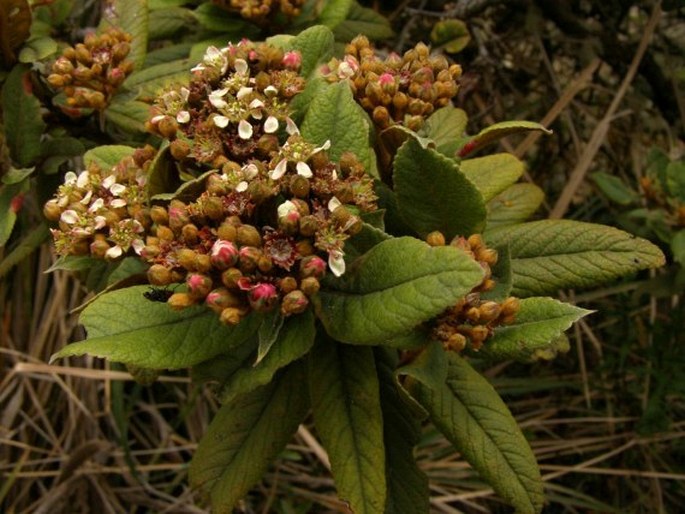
(91,72)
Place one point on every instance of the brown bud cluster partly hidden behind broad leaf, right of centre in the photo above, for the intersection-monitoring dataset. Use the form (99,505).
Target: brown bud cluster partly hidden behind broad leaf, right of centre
(472,320)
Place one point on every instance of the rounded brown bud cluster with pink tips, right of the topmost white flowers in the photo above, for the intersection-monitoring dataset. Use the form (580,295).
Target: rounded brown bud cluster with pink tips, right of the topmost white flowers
(396,89)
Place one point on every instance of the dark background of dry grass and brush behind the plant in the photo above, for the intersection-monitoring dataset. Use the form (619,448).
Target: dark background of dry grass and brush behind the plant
(605,419)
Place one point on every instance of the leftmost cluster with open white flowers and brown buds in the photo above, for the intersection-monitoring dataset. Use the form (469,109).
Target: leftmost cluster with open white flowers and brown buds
(100,212)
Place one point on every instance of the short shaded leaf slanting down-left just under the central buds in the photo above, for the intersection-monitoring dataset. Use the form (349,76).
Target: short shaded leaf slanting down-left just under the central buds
(294,340)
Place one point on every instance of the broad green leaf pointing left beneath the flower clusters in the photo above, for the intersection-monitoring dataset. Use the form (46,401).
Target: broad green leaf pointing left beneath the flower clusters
(124,326)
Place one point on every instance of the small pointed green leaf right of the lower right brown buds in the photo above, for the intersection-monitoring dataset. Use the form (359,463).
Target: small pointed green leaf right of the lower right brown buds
(538,324)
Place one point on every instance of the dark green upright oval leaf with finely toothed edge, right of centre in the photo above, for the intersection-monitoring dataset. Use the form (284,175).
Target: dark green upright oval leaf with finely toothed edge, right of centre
(433,194)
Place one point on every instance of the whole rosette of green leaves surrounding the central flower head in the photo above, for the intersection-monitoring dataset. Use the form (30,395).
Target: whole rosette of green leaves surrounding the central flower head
(361,359)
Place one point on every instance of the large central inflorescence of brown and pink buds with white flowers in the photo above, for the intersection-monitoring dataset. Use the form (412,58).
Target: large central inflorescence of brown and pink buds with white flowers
(275,211)
